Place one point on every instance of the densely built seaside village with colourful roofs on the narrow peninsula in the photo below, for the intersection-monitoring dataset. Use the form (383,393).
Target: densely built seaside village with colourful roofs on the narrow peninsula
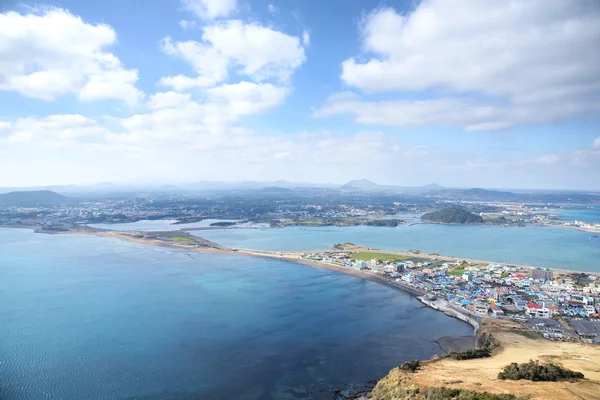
(558,305)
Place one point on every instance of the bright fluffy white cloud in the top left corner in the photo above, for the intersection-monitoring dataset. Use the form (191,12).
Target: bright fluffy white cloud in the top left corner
(50,52)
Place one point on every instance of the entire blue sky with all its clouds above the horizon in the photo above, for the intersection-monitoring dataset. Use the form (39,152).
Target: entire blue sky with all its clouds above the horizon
(469,93)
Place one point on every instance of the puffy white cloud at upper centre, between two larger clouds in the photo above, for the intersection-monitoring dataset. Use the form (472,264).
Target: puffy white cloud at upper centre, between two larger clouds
(249,49)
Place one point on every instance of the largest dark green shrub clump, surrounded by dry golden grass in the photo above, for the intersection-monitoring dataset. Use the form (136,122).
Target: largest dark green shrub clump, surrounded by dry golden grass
(537,372)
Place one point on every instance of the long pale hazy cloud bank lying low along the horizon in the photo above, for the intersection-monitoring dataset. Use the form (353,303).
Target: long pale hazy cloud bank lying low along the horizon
(186,142)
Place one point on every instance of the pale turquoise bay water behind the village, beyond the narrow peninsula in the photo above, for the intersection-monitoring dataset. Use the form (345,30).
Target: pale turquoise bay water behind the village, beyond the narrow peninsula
(532,245)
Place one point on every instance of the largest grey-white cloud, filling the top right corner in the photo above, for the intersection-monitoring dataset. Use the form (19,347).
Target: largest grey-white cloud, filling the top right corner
(516,61)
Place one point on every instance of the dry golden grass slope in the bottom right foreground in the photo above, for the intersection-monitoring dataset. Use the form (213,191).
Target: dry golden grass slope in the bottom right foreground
(481,375)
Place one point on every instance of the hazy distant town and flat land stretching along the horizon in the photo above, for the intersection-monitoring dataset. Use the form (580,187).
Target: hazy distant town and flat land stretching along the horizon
(281,207)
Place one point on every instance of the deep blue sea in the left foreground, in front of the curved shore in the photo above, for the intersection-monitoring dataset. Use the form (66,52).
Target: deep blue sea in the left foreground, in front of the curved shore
(85,317)
